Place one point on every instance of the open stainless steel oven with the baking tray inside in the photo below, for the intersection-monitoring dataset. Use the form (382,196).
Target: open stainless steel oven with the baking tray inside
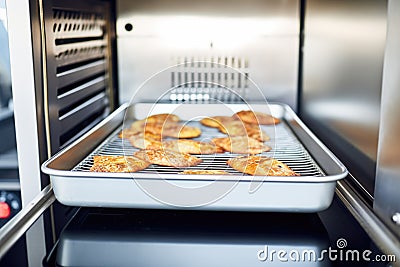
(83,71)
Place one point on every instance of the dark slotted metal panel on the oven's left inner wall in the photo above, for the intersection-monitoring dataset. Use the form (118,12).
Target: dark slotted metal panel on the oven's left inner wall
(78,67)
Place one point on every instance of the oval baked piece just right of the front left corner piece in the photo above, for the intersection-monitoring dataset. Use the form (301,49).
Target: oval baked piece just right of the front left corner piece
(167,158)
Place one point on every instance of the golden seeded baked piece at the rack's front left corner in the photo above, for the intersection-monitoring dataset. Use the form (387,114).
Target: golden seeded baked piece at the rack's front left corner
(118,164)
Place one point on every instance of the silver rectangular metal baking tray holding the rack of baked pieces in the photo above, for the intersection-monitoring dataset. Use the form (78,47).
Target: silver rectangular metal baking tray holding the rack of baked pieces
(163,187)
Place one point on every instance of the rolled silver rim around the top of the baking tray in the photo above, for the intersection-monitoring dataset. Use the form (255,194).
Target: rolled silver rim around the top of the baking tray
(173,177)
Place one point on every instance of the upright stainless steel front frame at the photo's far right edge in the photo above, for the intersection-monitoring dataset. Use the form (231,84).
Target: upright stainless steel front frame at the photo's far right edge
(387,196)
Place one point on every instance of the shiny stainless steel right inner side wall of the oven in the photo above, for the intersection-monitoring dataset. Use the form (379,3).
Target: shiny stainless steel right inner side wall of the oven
(344,45)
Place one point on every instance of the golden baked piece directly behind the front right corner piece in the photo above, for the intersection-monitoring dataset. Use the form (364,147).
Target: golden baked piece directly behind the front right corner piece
(241,145)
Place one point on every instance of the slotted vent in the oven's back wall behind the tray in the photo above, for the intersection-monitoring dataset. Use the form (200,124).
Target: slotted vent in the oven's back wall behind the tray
(219,78)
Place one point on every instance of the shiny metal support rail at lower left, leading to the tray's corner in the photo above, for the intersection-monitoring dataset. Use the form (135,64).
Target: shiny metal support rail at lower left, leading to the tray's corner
(20,223)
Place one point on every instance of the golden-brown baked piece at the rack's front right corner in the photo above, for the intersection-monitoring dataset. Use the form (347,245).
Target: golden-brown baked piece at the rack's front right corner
(260,165)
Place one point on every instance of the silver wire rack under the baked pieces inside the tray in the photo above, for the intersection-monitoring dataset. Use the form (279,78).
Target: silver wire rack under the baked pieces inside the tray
(286,148)
